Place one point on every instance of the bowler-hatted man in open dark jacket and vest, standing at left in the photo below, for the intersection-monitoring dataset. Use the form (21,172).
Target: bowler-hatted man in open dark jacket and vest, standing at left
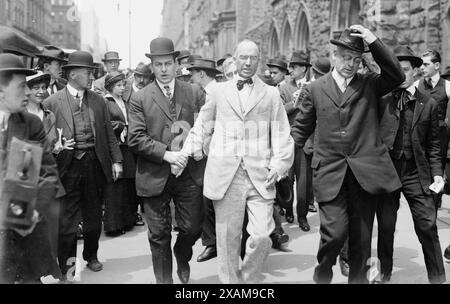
(95,160)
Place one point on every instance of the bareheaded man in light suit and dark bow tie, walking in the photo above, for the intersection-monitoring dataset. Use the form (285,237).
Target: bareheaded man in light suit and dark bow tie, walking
(251,148)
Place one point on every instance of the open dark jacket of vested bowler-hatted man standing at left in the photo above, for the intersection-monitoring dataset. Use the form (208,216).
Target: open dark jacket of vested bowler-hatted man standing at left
(106,145)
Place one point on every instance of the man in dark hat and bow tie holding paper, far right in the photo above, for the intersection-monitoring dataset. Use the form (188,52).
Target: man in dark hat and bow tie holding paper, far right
(410,130)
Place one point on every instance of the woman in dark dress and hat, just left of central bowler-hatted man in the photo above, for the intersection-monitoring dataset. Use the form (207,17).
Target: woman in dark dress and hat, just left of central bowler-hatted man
(121,201)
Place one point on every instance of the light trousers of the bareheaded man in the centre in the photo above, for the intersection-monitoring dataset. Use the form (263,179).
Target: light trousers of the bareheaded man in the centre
(230,212)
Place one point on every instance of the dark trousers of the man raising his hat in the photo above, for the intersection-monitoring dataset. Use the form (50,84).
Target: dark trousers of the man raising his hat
(350,213)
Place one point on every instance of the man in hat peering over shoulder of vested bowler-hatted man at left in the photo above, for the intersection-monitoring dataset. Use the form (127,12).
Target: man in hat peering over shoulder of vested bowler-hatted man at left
(50,62)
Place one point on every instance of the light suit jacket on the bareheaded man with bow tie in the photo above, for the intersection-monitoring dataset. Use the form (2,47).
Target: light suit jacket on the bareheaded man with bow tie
(256,135)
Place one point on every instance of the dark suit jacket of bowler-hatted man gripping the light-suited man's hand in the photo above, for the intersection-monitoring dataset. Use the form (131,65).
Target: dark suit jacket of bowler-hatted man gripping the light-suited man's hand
(152,132)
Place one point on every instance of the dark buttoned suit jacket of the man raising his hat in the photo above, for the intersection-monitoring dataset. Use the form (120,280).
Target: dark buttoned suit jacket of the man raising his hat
(348,132)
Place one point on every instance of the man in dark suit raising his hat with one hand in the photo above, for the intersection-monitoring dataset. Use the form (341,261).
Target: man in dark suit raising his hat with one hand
(351,164)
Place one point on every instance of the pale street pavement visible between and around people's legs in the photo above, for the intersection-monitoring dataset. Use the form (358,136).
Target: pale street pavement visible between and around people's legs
(127,259)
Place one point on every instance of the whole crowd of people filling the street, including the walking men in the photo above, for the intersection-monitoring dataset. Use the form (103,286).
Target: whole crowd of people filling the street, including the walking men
(213,149)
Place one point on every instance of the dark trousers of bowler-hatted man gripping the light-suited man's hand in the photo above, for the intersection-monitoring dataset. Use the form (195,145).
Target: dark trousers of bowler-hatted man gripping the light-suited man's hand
(188,200)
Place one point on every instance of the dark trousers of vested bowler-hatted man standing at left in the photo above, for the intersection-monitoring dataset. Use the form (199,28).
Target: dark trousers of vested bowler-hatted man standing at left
(84,184)
